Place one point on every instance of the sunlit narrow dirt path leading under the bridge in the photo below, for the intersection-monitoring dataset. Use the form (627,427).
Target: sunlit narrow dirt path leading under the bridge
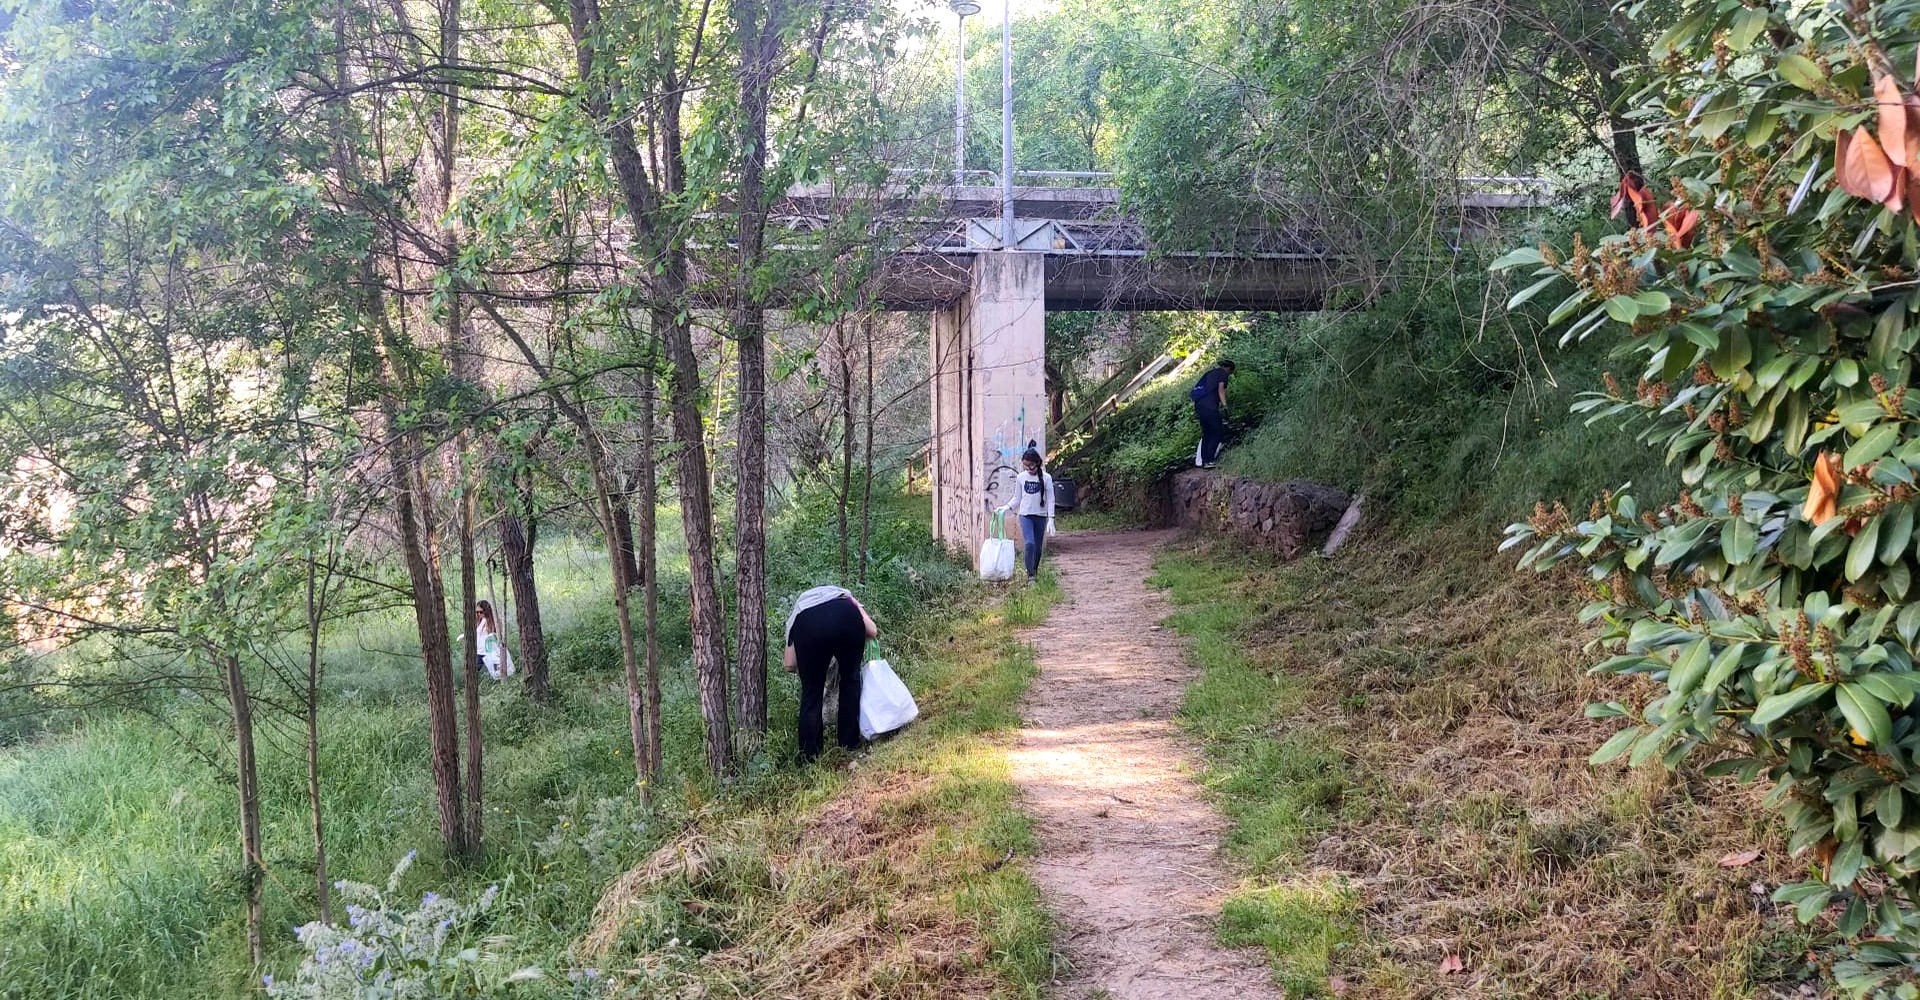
(1128,845)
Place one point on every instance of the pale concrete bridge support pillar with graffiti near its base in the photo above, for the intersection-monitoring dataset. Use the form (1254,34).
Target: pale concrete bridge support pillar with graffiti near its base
(990,393)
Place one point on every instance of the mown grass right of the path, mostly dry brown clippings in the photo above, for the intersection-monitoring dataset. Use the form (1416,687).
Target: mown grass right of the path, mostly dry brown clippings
(1399,744)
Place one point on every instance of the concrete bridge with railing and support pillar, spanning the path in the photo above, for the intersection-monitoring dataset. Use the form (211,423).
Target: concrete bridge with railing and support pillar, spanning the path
(990,277)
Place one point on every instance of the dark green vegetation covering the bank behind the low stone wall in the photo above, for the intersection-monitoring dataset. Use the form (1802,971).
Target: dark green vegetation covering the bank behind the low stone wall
(1418,402)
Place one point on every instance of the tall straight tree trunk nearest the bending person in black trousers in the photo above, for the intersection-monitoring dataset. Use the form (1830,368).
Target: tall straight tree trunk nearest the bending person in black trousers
(759,41)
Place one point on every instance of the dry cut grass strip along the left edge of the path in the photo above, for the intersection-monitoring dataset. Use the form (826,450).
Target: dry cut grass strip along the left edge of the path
(888,878)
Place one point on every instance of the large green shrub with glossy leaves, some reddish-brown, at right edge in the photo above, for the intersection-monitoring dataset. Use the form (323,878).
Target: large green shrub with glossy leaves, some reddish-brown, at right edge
(1769,310)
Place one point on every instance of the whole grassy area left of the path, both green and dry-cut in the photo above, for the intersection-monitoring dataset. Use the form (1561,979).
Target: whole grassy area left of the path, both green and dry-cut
(118,872)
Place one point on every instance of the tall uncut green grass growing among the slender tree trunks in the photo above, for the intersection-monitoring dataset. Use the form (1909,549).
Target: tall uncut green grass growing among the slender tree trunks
(118,863)
